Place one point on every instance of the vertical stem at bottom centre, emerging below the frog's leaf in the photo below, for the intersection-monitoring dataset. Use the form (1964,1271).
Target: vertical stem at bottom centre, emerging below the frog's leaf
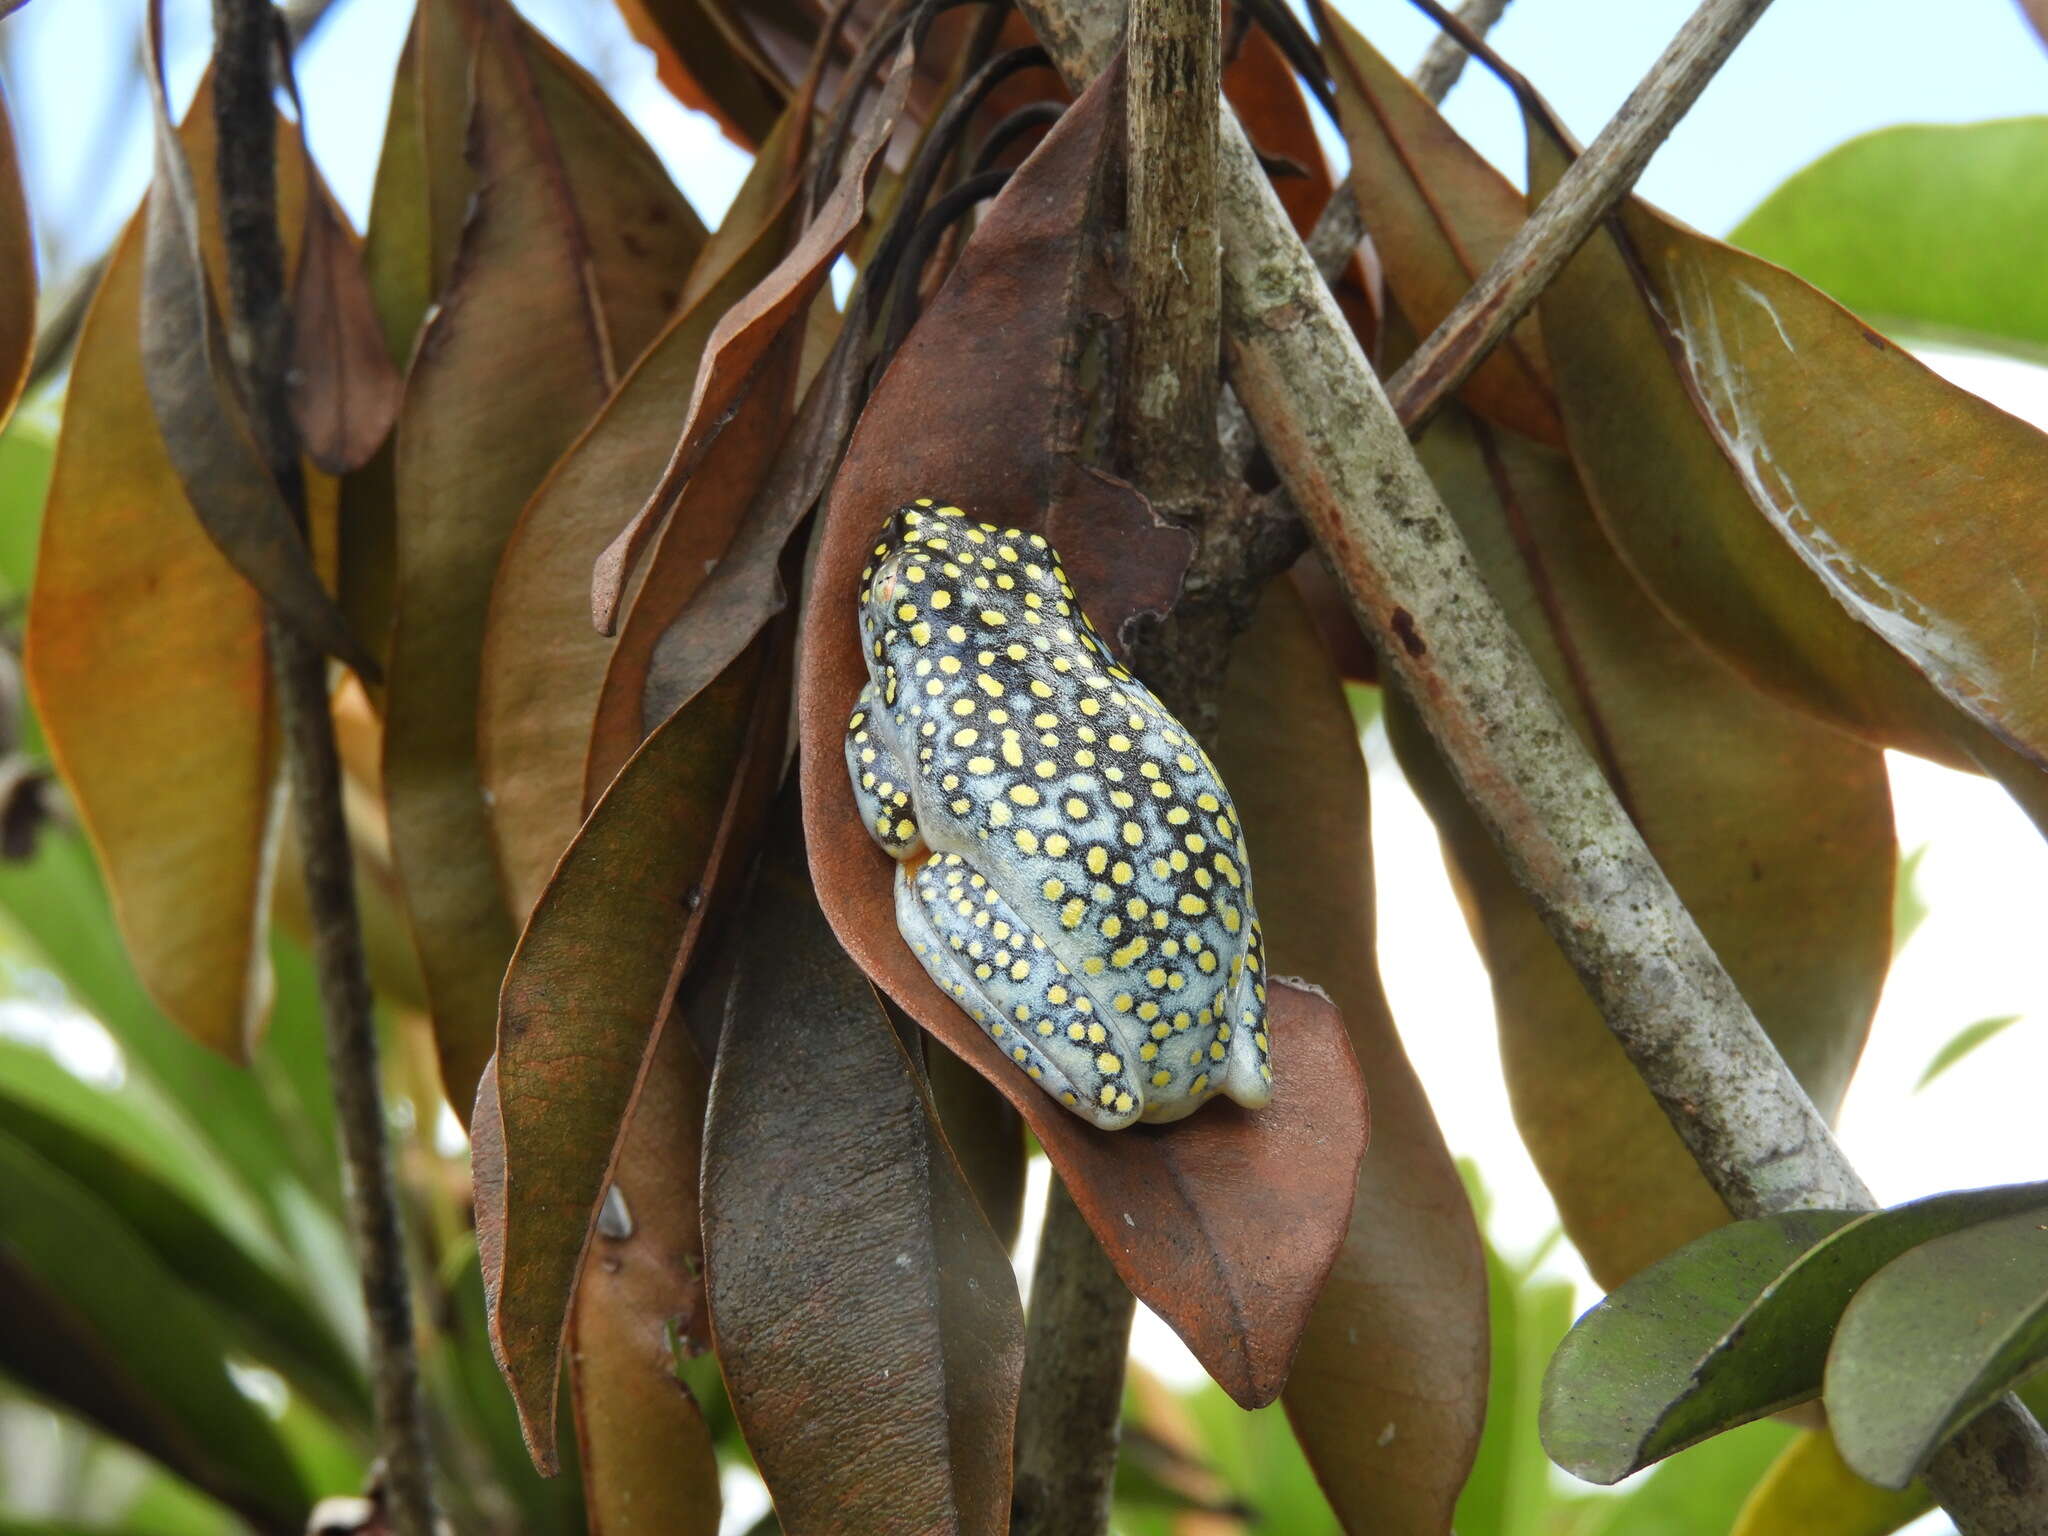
(1076,1336)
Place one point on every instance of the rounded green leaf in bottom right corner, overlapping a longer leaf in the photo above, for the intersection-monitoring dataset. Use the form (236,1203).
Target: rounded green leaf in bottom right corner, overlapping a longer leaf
(1934,1338)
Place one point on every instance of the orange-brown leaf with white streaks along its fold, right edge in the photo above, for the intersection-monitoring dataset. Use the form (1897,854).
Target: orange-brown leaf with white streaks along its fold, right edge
(1830,517)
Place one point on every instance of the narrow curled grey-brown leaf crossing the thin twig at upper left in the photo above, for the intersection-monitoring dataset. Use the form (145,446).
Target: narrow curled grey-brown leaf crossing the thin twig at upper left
(198,400)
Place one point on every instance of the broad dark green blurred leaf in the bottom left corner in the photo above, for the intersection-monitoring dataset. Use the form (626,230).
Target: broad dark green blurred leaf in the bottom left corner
(93,1320)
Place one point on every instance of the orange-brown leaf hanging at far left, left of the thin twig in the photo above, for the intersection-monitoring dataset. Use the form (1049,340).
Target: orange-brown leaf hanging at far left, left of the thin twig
(148,669)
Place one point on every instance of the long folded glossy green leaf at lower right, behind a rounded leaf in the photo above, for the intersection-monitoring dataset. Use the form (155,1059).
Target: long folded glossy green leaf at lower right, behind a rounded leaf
(1730,1328)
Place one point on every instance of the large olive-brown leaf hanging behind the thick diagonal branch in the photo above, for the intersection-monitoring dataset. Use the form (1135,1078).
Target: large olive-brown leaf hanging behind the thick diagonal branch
(1775,828)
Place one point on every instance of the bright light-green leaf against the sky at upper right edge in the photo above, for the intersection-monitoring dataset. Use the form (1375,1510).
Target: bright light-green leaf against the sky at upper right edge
(1924,228)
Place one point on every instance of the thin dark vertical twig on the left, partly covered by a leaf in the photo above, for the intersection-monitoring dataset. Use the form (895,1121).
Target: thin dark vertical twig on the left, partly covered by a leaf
(261,343)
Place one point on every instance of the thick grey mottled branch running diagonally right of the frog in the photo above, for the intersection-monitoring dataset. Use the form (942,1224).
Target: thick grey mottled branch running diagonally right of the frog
(1347,460)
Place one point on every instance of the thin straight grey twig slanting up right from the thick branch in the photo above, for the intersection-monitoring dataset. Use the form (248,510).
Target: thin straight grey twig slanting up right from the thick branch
(1586,194)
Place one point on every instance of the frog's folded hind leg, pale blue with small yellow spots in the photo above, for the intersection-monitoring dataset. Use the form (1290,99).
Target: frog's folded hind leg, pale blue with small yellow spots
(1011,984)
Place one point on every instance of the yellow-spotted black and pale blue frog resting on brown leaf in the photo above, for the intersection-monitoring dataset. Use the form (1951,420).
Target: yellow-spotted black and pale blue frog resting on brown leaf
(1070,869)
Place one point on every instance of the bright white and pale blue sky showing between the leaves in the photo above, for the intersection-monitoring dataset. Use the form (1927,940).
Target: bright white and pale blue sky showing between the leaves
(1814,75)
